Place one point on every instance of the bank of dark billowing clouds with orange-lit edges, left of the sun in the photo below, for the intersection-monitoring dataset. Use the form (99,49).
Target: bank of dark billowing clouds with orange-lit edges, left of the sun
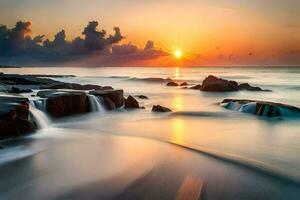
(17,41)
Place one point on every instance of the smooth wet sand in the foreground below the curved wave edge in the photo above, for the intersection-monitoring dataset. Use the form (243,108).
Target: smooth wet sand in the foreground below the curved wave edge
(94,166)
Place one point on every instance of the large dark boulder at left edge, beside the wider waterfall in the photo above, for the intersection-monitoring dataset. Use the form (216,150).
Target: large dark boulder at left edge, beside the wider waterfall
(14,117)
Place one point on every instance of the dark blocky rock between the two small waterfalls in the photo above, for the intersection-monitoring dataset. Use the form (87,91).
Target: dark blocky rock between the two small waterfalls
(67,103)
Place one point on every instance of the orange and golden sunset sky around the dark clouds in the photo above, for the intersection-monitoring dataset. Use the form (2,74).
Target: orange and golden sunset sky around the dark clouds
(215,32)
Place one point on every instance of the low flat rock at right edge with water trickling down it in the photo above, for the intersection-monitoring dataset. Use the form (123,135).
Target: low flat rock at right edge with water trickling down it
(261,108)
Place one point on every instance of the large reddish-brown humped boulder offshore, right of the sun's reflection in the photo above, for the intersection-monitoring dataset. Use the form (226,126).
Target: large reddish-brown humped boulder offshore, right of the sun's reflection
(214,84)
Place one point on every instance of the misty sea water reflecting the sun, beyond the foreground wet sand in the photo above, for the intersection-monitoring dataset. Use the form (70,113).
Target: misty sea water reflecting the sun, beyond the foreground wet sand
(271,146)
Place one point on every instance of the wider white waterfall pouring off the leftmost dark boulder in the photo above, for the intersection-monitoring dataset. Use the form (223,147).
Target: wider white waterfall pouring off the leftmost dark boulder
(37,111)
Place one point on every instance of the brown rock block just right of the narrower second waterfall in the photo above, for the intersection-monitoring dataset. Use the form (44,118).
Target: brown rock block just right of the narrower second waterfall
(115,96)
